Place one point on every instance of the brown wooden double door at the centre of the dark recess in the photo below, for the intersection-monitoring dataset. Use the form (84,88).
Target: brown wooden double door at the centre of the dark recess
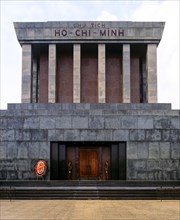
(88,164)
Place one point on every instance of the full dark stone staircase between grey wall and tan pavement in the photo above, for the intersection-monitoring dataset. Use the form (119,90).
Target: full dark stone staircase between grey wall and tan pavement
(90,190)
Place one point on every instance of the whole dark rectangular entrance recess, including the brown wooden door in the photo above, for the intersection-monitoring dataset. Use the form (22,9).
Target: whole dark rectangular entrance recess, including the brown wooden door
(88,161)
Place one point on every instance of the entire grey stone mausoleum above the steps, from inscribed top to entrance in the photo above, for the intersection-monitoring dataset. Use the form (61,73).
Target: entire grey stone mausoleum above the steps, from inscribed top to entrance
(89,105)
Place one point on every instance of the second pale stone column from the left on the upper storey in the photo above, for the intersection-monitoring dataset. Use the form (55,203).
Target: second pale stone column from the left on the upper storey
(52,74)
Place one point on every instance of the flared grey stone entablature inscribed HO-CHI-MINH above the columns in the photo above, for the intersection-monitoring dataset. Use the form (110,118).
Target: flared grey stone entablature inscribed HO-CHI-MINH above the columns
(144,32)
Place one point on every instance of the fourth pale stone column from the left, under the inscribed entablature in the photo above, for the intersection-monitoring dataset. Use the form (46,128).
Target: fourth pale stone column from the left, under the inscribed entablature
(101,73)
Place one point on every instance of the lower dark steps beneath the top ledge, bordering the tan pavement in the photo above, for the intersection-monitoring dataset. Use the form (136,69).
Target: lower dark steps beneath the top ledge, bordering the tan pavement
(89,192)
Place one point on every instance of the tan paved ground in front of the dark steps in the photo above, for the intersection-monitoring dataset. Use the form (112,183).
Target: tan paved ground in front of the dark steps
(88,209)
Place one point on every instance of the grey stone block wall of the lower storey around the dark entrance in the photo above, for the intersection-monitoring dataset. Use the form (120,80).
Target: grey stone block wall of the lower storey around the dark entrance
(151,133)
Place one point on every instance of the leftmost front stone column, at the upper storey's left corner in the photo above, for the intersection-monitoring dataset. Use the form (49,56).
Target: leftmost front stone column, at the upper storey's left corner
(26,73)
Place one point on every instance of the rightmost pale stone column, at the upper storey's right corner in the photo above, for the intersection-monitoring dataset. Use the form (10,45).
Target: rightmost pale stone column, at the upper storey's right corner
(151,73)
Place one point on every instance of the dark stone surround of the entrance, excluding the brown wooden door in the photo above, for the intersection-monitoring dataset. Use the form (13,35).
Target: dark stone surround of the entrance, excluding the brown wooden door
(117,159)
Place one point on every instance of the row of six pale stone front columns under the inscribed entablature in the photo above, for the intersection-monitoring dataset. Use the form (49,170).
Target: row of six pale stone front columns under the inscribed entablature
(27,73)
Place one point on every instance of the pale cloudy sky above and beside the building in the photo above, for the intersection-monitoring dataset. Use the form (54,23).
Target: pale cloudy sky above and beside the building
(36,11)
